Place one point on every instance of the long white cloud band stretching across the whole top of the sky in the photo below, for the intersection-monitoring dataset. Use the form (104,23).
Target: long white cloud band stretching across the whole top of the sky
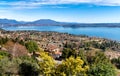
(39,3)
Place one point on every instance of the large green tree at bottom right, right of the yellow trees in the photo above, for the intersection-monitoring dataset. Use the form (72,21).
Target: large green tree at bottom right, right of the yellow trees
(101,66)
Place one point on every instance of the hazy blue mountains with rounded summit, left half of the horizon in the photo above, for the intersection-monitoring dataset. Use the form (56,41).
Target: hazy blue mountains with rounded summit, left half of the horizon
(40,22)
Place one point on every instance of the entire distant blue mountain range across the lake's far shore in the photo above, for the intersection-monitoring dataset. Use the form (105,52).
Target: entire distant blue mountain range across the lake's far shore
(49,22)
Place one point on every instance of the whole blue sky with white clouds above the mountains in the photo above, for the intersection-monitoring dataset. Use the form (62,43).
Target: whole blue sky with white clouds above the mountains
(81,11)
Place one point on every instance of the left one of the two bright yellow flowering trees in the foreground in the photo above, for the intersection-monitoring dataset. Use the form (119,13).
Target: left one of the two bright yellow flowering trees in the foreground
(47,64)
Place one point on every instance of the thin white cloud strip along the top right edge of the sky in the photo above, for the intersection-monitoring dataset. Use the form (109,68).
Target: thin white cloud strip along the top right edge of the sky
(96,2)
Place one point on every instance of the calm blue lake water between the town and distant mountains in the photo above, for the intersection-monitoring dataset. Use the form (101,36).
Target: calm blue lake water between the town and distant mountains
(103,32)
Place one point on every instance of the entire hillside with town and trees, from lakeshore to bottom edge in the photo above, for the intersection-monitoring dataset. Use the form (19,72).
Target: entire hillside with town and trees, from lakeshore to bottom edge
(35,51)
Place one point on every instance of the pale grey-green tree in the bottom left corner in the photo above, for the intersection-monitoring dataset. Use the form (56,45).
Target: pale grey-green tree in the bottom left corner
(9,67)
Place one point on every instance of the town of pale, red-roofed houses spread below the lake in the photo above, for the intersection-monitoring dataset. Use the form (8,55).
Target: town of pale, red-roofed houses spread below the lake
(54,42)
